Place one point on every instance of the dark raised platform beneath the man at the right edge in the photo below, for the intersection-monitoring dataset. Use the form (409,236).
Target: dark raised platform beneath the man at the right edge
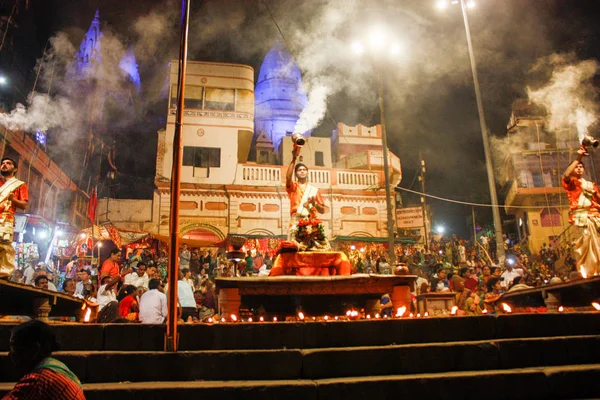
(579,293)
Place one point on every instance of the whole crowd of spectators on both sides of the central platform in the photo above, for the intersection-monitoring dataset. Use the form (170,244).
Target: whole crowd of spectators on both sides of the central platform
(132,287)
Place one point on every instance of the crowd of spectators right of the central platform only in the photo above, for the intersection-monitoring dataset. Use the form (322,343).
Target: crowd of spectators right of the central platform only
(469,270)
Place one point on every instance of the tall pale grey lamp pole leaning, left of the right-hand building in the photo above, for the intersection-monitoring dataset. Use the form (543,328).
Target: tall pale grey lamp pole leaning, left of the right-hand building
(486,144)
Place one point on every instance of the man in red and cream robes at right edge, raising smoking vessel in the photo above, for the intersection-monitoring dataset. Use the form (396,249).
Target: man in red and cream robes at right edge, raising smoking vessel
(585,214)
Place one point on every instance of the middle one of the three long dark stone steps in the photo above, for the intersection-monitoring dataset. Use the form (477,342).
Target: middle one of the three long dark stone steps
(325,363)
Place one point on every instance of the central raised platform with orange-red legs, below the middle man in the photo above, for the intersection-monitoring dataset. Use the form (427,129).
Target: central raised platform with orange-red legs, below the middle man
(317,295)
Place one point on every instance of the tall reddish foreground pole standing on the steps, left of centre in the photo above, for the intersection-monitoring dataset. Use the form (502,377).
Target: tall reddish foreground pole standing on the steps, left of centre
(171,337)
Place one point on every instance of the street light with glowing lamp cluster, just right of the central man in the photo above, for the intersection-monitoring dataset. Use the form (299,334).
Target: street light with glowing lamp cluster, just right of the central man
(378,42)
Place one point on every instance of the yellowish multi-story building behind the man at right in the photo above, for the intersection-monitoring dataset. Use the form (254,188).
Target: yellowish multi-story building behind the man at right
(534,165)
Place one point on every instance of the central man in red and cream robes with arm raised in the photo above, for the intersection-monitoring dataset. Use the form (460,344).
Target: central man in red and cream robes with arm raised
(306,231)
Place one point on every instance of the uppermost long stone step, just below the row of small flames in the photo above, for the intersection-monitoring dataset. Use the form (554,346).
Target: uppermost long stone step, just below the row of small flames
(136,337)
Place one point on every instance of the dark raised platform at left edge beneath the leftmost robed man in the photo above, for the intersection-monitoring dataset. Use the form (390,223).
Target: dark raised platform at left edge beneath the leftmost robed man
(20,299)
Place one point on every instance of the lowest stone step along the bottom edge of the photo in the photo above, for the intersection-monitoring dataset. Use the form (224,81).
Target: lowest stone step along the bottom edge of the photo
(561,382)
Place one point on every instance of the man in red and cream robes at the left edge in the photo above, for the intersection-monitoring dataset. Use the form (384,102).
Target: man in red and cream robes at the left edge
(13,195)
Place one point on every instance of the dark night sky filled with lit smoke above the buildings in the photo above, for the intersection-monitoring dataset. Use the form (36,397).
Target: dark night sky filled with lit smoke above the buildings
(429,97)
